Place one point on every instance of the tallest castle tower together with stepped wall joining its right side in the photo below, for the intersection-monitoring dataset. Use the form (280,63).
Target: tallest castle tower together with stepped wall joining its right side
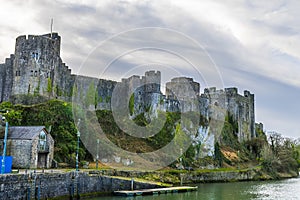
(38,68)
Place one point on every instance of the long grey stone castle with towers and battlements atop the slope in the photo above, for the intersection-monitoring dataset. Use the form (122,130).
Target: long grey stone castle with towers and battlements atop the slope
(37,70)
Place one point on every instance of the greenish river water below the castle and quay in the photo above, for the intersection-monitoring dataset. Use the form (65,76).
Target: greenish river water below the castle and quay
(288,189)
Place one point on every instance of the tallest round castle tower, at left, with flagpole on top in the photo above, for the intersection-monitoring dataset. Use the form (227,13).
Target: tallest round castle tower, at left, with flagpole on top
(36,59)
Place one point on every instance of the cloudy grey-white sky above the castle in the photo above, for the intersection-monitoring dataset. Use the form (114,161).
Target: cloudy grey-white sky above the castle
(250,44)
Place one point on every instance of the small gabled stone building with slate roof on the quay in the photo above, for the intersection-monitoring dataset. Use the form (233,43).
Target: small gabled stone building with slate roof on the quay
(30,146)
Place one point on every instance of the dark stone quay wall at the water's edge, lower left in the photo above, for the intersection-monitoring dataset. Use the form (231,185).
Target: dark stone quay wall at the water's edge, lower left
(63,185)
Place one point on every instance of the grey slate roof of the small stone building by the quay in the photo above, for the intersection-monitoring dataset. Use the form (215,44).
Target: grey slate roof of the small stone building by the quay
(24,132)
